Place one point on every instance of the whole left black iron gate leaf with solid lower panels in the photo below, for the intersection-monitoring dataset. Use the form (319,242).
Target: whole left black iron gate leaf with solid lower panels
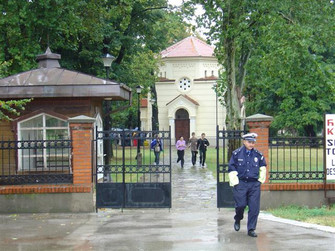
(130,178)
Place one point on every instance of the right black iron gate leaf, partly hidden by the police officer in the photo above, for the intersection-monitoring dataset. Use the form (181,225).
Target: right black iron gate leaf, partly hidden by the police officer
(227,142)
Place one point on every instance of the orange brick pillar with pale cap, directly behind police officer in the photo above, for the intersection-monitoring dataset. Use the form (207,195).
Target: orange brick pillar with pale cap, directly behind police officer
(260,124)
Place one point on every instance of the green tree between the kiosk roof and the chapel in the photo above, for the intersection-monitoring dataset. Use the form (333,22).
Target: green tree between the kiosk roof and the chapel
(141,31)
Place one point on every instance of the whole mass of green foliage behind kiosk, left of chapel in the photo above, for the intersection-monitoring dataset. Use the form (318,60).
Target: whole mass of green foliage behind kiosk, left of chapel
(83,30)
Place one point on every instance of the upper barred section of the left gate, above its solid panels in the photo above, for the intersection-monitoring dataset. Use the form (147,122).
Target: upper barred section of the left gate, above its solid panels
(132,160)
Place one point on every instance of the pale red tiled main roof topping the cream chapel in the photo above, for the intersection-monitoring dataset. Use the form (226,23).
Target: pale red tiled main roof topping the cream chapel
(189,47)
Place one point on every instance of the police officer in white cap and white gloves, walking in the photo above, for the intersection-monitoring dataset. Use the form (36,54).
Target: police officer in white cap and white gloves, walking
(247,170)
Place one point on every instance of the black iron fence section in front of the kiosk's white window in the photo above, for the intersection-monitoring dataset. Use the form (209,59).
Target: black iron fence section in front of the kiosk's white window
(35,161)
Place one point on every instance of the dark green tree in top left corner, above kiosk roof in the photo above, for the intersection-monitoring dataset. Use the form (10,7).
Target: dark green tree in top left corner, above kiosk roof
(28,27)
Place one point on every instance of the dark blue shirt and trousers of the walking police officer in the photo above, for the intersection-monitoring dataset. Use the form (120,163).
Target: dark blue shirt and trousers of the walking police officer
(247,192)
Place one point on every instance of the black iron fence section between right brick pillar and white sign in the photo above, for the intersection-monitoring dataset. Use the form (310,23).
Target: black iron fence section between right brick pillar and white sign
(296,159)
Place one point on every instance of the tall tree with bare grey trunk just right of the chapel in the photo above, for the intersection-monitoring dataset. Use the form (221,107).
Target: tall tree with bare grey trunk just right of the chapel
(231,25)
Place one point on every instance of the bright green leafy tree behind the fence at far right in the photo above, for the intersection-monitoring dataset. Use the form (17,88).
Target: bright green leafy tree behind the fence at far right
(294,67)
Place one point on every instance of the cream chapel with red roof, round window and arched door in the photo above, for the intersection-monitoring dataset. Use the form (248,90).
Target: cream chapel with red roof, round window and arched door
(186,98)
